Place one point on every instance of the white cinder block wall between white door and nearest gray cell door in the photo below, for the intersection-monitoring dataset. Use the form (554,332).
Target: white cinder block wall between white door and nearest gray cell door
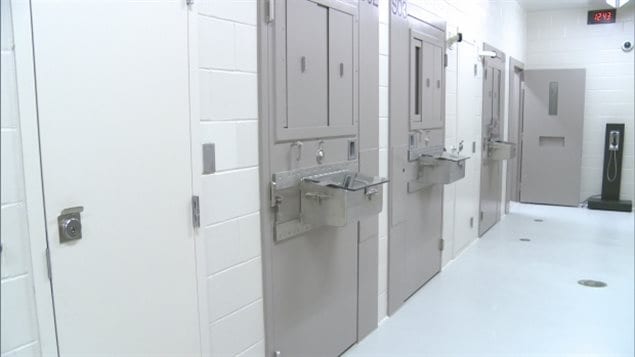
(229,198)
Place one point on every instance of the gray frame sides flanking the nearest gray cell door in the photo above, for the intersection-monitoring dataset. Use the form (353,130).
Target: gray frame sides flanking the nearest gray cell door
(267,114)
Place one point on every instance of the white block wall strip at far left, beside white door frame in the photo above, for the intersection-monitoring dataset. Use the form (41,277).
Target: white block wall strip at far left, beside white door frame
(19,327)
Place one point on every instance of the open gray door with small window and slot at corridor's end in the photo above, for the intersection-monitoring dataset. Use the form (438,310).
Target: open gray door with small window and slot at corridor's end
(552,136)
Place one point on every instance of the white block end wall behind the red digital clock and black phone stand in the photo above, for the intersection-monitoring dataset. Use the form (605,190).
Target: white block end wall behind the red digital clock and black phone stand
(562,39)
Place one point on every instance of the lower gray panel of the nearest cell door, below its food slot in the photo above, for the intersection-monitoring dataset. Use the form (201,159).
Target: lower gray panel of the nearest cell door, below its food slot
(315,292)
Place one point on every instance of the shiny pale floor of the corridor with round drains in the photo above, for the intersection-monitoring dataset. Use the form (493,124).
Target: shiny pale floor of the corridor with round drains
(506,297)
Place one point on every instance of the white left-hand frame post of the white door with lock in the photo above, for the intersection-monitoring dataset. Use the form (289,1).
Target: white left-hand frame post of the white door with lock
(29,125)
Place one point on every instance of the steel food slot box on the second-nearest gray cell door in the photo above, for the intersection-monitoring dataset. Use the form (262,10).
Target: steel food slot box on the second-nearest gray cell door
(440,168)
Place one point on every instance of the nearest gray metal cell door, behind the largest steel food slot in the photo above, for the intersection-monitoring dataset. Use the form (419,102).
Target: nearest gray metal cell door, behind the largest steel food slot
(313,282)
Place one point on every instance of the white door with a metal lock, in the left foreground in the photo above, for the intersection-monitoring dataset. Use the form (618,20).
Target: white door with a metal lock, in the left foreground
(113,97)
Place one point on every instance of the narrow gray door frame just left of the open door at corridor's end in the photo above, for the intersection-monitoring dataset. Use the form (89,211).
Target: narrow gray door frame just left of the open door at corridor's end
(515,119)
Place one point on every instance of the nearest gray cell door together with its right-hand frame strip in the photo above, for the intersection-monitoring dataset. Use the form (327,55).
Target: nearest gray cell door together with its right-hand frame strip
(317,301)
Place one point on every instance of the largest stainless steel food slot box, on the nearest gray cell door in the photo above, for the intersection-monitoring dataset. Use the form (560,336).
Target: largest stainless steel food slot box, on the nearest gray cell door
(329,195)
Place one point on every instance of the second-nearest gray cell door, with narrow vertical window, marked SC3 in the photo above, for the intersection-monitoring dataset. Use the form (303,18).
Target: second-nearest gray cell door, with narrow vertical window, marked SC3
(417,84)
